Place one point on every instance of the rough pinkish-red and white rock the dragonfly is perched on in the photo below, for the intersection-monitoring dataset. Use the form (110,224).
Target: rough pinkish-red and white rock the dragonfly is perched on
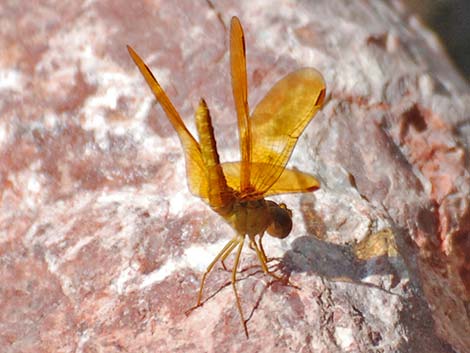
(102,246)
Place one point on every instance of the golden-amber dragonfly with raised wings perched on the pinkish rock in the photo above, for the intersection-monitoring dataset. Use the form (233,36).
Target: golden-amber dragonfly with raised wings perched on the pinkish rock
(267,137)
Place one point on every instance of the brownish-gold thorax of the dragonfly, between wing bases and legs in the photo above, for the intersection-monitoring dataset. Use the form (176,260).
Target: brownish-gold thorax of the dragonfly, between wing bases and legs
(250,217)
